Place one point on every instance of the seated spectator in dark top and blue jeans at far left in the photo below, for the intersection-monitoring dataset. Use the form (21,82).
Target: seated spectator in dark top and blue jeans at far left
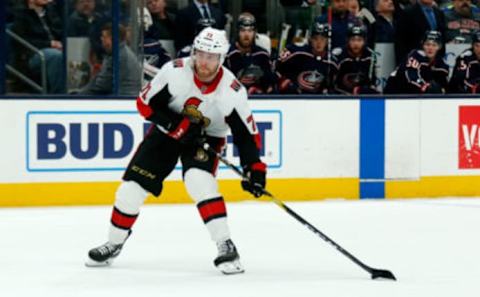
(39,24)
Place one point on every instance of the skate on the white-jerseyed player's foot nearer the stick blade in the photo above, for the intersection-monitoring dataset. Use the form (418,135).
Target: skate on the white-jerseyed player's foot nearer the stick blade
(228,259)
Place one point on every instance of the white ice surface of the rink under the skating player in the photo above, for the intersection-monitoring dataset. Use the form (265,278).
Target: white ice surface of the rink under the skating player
(432,246)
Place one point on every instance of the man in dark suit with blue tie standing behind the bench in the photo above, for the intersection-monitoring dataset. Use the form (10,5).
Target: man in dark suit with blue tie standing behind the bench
(413,22)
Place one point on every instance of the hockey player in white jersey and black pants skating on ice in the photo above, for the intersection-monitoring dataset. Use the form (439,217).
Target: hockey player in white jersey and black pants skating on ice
(189,99)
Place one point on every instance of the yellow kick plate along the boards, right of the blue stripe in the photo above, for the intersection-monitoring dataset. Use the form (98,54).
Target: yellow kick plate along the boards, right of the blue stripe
(434,186)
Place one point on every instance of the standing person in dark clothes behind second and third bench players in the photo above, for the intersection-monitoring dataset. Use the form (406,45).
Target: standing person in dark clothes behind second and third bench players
(341,18)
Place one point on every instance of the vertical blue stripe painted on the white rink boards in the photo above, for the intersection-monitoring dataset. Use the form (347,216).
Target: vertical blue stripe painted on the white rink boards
(372,148)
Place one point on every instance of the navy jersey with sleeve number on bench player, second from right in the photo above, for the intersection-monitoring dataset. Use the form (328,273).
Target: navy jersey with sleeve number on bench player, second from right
(417,74)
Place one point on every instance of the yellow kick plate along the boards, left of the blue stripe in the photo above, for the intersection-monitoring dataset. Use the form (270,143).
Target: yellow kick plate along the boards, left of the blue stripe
(103,193)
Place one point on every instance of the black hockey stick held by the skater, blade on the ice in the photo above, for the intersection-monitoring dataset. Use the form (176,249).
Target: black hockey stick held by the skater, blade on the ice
(374,273)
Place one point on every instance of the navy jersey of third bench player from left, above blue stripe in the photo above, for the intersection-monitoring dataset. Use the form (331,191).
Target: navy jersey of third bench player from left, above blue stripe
(356,75)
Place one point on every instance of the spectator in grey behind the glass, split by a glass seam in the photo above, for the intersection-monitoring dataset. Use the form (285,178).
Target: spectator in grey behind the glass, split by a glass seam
(130,70)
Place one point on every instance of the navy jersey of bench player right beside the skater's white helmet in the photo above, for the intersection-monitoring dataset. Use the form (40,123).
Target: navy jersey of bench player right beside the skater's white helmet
(253,69)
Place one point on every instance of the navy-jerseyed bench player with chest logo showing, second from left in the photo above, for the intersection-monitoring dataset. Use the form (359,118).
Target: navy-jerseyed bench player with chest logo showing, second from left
(308,69)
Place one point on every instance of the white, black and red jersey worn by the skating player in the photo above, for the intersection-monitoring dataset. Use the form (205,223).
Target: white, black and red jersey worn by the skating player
(223,102)
